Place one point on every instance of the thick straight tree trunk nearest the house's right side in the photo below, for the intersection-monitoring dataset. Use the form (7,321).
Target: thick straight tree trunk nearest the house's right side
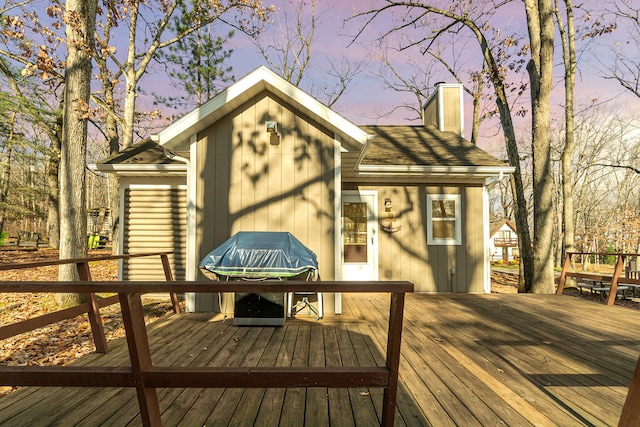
(540,67)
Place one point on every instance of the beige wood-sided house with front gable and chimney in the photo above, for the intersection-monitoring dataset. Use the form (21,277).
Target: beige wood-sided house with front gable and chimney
(373,202)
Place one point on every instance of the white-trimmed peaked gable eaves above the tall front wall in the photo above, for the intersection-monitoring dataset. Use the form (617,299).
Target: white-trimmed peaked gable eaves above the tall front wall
(253,83)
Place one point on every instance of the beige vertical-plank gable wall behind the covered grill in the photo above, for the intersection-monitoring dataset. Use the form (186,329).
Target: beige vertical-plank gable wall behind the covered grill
(246,183)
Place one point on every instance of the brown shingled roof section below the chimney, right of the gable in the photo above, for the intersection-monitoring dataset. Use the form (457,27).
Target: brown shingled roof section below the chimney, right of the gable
(425,149)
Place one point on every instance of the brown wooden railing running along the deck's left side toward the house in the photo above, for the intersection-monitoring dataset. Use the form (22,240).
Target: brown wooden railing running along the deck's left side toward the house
(91,305)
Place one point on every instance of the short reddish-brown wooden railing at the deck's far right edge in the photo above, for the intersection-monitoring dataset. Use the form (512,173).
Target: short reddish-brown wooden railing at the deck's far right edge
(614,280)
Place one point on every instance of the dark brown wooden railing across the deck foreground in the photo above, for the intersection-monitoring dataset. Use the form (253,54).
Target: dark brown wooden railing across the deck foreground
(146,378)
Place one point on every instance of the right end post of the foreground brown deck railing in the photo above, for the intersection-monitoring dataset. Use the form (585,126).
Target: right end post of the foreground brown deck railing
(394,340)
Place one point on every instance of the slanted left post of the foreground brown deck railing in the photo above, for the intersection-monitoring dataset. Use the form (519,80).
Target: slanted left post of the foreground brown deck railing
(138,343)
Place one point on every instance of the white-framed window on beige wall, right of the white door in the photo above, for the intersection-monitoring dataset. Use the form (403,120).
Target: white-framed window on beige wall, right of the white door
(443,219)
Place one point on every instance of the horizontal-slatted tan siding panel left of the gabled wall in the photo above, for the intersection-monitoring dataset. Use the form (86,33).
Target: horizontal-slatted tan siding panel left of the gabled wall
(154,221)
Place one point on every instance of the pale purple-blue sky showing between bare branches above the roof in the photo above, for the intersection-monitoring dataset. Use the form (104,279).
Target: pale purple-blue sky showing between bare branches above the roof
(368,101)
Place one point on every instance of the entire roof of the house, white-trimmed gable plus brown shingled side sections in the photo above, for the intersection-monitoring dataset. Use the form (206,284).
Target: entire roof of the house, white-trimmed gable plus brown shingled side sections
(368,151)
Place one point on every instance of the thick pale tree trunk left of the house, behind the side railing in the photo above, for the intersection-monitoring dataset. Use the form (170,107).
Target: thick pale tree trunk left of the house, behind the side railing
(80,17)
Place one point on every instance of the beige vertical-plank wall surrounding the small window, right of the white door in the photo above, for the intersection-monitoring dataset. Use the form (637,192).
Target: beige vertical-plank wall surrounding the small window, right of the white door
(405,255)
